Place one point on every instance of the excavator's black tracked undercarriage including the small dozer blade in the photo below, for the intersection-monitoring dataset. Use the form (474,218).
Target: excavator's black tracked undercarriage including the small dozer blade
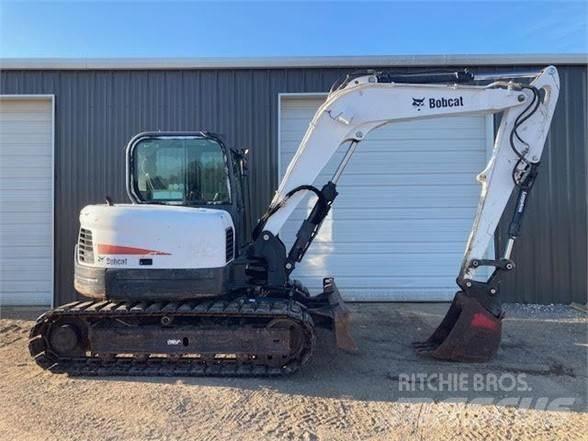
(245,336)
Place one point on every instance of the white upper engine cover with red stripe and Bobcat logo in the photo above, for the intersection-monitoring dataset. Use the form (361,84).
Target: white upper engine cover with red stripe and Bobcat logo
(127,236)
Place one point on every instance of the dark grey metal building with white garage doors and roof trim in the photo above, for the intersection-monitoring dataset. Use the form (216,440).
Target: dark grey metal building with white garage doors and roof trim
(64,125)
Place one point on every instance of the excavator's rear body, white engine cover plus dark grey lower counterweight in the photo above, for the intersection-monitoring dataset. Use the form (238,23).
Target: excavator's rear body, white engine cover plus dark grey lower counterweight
(140,252)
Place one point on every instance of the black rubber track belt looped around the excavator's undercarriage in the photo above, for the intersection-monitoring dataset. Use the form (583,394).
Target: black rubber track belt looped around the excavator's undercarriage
(168,366)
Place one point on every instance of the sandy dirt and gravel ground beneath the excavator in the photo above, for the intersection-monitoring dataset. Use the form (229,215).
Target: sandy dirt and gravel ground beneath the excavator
(535,389)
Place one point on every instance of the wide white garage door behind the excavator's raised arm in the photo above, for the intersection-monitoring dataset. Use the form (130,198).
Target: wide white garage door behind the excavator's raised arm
(406,203)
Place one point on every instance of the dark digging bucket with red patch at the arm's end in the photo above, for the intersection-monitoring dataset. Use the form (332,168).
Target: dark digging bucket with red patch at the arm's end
(468,333)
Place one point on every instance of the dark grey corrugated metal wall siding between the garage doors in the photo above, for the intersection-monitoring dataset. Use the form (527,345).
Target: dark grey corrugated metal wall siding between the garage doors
(98,111)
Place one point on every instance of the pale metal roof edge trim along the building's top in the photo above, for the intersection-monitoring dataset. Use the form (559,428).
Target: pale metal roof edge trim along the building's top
(287,62)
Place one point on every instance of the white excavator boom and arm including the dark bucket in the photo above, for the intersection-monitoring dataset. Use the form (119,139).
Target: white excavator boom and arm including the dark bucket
(363,103)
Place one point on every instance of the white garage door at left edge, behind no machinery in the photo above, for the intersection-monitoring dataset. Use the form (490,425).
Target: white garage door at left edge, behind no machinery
(26,201)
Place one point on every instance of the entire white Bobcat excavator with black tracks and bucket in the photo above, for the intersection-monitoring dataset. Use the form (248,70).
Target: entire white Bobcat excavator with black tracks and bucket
(177,287)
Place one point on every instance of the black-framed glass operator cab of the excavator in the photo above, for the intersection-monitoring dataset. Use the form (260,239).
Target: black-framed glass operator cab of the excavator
(191,169)
